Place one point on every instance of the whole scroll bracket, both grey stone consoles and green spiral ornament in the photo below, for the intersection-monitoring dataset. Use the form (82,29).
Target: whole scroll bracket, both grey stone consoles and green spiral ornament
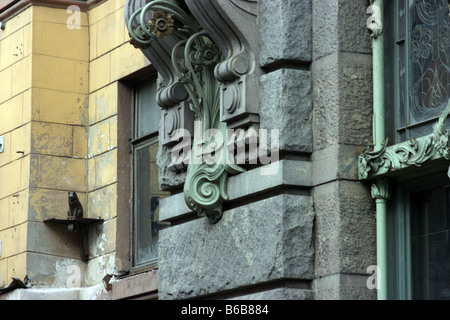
(204,63)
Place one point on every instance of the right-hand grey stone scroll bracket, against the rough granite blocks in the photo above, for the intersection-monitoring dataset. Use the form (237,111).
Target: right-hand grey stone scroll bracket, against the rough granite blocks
(232,26)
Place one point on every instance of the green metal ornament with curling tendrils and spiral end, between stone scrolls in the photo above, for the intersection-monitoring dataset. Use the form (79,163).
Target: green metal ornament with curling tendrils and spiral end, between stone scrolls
(194,58)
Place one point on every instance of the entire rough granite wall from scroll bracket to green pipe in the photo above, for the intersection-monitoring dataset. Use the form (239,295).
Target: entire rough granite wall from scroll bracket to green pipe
(313,239)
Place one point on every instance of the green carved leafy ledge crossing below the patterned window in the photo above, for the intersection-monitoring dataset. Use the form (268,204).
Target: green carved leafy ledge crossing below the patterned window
(410,153)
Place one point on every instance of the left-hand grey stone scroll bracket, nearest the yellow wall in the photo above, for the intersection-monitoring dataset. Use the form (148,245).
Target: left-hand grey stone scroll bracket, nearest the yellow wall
(171,95)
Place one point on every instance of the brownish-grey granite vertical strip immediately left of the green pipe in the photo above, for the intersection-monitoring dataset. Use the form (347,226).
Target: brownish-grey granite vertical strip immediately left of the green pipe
(342,96)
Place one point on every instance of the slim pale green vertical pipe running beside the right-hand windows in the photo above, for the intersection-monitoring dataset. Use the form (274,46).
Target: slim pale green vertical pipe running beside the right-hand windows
(380,188)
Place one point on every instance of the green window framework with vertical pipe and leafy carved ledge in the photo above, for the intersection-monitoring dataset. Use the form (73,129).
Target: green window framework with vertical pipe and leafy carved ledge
(399,164)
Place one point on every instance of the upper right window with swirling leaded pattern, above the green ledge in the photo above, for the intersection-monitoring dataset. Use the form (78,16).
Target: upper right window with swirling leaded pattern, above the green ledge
(417,66)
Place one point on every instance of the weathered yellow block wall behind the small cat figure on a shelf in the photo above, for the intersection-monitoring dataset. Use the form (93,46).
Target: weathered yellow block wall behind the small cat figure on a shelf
(58,101)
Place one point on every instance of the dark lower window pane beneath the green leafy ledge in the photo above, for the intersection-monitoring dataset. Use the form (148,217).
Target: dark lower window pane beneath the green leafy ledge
(419,239)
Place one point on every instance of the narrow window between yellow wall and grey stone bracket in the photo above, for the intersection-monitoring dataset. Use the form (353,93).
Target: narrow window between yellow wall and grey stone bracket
(146,193)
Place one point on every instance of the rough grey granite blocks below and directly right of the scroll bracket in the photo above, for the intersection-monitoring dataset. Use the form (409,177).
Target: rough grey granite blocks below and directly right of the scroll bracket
(267,239)
